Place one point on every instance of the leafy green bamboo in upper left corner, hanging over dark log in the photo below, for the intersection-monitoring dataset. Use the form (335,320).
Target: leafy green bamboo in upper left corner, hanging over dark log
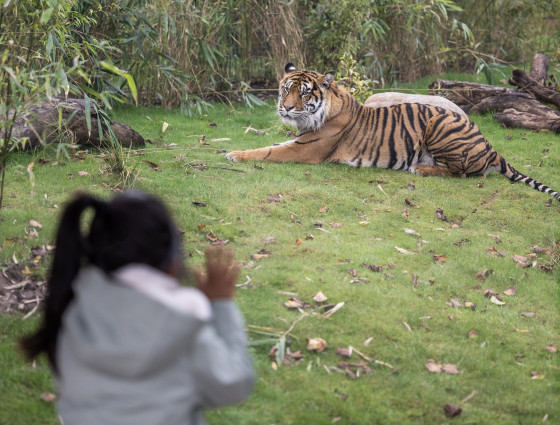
(46,52)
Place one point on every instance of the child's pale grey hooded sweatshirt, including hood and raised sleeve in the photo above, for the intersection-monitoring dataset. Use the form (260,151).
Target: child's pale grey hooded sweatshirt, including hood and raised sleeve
(137,348)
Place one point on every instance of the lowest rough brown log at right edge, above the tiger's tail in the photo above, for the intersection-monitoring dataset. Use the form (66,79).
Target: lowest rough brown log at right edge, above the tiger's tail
(515,101)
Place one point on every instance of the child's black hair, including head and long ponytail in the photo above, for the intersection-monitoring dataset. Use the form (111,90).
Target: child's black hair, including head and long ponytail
(133,227)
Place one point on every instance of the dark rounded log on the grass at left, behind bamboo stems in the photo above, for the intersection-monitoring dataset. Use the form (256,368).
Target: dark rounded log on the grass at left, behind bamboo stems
(40,125)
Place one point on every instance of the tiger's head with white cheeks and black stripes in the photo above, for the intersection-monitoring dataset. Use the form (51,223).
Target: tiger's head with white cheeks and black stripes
(303,98)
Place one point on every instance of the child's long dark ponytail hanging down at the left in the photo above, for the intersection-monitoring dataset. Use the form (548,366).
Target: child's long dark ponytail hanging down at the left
(71,250)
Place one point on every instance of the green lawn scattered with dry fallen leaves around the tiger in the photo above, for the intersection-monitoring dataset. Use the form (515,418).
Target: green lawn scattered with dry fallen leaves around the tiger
(406,320)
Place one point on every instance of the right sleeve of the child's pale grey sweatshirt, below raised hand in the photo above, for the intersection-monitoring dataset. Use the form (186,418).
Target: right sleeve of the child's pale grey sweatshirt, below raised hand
(223,367)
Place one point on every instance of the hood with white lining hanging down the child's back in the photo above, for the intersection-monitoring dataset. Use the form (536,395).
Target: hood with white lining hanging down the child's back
(132,323)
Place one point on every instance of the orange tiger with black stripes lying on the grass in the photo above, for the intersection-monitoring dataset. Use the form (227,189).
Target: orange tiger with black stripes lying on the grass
(334,127)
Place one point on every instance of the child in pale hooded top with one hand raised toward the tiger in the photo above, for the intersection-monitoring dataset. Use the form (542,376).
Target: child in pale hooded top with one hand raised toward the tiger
(129,344)
